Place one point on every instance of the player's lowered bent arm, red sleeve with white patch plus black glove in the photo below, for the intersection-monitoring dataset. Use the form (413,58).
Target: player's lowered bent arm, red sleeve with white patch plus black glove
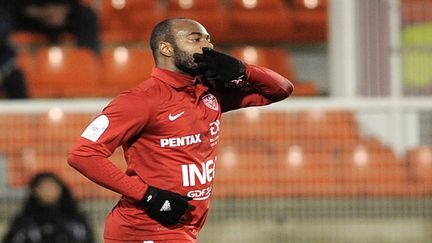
(119,124)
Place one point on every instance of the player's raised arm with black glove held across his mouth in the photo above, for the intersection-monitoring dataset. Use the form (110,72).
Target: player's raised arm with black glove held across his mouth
(239,84)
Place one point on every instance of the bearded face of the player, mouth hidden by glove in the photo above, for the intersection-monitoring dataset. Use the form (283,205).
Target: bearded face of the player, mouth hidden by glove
(189,38)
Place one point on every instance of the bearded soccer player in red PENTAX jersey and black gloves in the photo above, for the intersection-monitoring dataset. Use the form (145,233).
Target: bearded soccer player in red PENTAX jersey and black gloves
(169,128)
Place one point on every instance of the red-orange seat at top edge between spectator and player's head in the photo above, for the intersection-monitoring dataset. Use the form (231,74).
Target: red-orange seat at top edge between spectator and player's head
(129,21)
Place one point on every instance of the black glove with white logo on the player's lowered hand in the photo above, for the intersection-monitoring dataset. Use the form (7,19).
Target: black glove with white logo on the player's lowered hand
(164,206)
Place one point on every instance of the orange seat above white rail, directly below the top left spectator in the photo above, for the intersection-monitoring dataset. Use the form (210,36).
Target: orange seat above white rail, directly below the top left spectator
(65,72)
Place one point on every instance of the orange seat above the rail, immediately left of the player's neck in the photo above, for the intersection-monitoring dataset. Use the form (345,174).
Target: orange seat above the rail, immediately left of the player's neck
(124,67)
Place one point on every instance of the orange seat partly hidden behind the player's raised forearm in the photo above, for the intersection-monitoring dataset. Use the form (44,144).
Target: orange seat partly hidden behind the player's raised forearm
(278,60)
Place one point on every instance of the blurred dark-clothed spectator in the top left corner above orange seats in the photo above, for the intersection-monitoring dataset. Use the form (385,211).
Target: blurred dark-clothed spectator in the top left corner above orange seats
(51,18)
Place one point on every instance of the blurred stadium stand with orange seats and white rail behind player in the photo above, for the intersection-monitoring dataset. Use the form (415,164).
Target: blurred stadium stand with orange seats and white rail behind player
(347,159)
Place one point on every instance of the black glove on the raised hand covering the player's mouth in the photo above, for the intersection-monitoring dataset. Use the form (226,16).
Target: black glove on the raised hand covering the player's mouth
(218,66)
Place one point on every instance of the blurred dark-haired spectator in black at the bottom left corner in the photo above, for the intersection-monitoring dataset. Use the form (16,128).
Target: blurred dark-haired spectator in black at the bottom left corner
(50,214)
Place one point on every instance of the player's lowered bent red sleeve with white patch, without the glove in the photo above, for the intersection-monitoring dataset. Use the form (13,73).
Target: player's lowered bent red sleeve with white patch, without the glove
(118,123)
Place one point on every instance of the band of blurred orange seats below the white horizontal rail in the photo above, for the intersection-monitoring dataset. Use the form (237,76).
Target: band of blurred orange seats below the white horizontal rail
(272,154)
